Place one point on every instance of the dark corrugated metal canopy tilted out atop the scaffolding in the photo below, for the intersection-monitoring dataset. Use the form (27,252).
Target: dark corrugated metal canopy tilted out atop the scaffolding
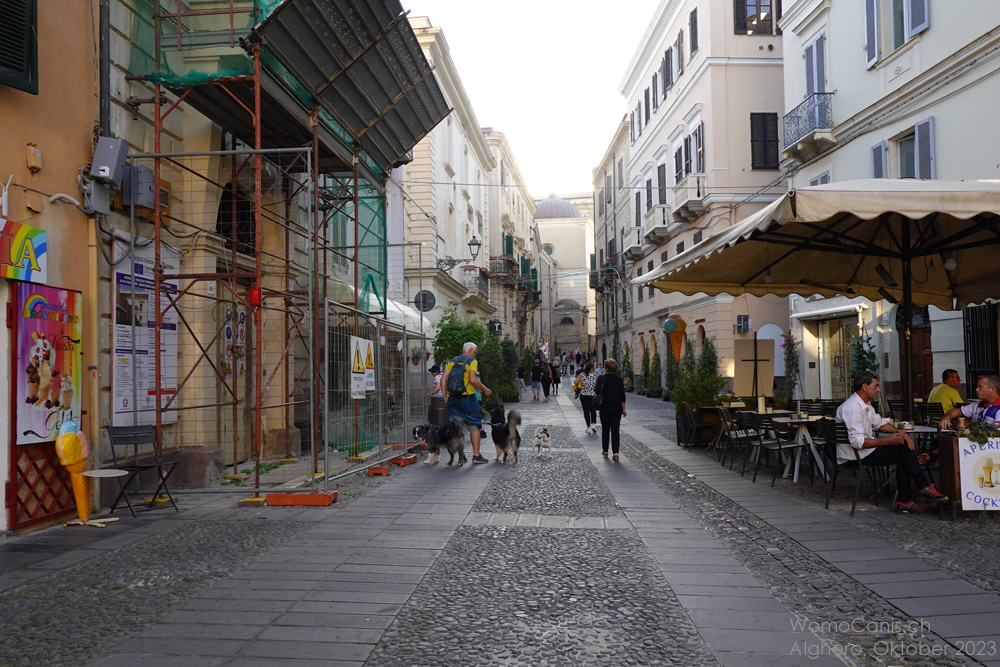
(362,62)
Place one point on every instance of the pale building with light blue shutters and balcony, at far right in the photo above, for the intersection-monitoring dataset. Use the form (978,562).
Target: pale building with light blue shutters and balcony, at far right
(886,89)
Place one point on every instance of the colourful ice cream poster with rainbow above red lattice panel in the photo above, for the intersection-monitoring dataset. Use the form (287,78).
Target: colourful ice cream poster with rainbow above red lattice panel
(48,372)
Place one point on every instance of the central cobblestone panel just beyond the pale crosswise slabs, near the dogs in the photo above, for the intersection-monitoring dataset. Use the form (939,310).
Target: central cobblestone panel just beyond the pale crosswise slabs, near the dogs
(560,483)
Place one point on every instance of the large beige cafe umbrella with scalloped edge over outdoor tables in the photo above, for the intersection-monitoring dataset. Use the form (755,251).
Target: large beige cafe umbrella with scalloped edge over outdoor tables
(915,243)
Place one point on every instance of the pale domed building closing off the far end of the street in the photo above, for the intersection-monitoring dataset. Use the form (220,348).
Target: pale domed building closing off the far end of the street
(567,236)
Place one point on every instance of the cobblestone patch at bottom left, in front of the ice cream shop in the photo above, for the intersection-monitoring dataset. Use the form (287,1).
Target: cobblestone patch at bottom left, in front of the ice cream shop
(77,613)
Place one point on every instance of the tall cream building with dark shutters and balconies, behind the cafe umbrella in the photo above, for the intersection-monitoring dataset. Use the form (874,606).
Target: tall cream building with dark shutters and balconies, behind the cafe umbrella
(704,88)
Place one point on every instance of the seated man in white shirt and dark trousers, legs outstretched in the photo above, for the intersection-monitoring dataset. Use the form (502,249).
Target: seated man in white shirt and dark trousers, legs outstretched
(897,449)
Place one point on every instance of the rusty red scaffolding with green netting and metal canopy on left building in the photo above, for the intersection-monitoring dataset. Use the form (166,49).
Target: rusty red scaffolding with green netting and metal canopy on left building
(267,250)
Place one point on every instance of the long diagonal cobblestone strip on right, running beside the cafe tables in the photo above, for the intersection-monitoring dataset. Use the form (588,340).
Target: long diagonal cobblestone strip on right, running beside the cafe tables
(802,581)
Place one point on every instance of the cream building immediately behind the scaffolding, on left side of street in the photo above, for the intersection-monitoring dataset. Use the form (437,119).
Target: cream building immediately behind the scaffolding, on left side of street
(445,187)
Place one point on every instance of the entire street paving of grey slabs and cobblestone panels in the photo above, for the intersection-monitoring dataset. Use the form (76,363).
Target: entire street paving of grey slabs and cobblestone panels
(665,558)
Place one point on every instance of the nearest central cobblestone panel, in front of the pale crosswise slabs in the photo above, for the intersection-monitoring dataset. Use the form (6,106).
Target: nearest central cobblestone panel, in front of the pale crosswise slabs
(542,597)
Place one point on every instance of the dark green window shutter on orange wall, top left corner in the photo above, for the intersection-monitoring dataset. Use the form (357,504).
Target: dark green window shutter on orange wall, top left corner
(19,44)
